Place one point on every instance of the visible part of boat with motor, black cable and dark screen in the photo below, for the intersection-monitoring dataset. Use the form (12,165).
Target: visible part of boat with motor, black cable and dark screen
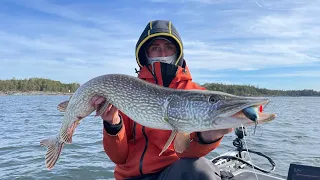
(237,165)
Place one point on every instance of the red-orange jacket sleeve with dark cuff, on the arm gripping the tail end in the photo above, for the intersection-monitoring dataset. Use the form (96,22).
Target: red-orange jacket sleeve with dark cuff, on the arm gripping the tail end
(115,142)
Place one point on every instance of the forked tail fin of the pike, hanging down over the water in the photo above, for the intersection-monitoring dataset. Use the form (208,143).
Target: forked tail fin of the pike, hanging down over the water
(54,148)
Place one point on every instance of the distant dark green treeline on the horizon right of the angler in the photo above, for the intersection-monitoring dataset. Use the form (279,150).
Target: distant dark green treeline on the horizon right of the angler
(249,90)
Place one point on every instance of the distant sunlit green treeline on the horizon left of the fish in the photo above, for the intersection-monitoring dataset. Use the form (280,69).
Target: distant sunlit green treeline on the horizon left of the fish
(37,84)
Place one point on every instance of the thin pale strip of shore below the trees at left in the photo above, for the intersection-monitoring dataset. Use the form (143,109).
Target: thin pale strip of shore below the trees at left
(26,93)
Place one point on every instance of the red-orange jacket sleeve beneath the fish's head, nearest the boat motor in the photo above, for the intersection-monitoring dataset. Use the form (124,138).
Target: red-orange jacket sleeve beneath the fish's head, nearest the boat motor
(198,148)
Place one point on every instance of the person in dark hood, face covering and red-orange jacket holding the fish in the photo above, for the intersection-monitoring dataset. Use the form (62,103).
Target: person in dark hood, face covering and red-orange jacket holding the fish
(134,148)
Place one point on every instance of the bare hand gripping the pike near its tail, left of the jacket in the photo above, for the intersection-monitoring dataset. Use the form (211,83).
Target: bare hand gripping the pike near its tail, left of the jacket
(110,115)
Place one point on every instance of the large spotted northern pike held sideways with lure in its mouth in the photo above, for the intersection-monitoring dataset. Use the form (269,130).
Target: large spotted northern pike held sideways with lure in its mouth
(154,106)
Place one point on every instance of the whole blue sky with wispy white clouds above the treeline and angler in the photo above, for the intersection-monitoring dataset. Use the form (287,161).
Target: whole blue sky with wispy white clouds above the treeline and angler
(267,43)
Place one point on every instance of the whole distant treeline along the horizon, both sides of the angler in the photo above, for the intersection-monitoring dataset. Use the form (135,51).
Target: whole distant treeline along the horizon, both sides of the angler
(41,84)
